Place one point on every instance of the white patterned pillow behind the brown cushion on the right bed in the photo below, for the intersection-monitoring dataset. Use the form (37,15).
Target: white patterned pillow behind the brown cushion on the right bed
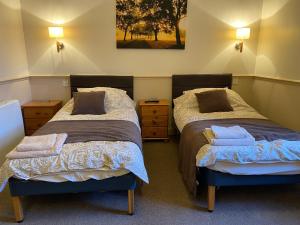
(189,100)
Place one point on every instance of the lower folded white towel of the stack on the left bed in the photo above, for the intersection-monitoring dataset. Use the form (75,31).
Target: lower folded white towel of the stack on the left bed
(60,140)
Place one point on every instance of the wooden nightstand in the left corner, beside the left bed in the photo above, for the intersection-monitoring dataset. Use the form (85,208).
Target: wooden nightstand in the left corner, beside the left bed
(38,113)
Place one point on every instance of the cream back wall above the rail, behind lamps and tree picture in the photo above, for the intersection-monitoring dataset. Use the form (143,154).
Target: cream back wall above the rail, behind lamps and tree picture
(91,48)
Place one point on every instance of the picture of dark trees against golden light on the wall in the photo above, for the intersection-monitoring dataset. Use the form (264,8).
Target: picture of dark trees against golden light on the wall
(151,24)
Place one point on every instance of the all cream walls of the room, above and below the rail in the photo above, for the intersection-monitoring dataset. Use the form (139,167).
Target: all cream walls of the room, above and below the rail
(90,49)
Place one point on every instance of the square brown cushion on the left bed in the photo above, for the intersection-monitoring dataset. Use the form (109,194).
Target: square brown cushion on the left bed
(89,103)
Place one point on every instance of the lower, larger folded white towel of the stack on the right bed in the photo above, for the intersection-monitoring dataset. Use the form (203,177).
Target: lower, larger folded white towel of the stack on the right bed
(248,141)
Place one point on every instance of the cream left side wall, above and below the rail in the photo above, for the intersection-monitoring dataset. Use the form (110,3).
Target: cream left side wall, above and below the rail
(13,62)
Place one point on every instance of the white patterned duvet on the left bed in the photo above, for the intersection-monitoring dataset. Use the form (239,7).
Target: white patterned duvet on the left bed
(89,156)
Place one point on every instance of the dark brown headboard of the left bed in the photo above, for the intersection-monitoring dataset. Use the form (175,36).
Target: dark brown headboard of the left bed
(89,81)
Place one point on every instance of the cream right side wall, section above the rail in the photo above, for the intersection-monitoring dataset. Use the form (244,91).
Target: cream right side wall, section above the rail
(279,45)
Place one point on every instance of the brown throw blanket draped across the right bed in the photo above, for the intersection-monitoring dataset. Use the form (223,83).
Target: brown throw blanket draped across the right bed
(192,139)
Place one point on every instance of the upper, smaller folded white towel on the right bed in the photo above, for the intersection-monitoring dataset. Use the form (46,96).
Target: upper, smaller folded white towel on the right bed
(234,132)
